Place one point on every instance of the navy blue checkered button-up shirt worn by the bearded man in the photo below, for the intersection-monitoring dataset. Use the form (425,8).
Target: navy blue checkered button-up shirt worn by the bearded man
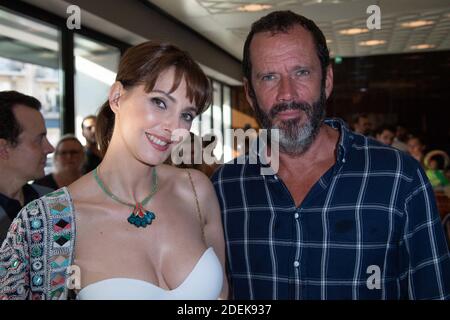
(368,229)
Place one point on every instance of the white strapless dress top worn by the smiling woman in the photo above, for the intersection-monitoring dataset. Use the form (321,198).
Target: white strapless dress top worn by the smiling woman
(203,283)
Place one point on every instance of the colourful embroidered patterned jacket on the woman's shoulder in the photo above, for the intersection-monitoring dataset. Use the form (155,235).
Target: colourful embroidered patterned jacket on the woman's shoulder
(38,250)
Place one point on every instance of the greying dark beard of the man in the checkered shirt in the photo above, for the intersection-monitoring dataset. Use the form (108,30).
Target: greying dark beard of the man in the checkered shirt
(294,139)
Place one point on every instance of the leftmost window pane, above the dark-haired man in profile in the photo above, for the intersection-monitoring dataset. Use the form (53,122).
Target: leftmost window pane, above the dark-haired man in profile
(30,63)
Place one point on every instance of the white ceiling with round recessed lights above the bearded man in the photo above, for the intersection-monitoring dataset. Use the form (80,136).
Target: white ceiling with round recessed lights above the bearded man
(222,23)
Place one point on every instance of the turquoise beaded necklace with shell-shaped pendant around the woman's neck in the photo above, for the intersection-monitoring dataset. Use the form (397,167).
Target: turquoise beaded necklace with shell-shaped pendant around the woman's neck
(139,217)
